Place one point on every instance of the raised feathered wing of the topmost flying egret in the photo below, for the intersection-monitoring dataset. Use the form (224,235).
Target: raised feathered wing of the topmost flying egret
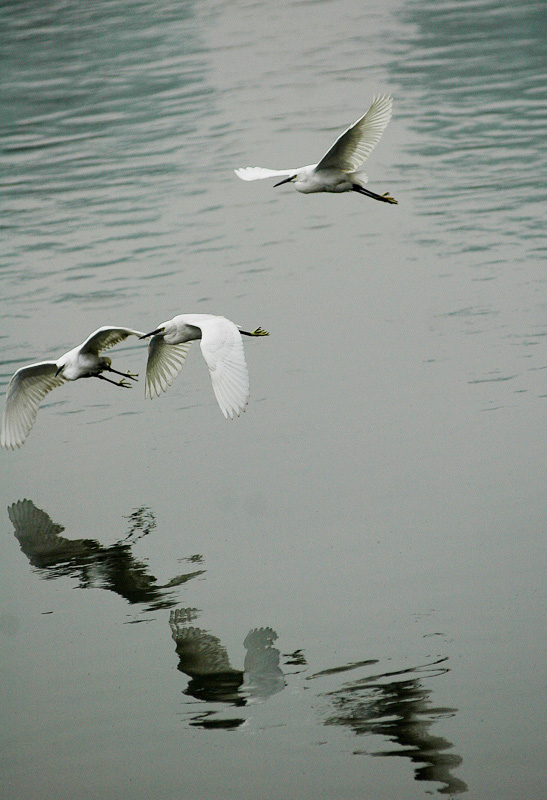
(356,143)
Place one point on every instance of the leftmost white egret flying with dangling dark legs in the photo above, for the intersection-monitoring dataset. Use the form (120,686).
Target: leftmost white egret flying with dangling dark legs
(29,385)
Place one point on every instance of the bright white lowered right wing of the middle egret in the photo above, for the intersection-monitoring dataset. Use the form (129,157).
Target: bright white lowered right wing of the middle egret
(222,349)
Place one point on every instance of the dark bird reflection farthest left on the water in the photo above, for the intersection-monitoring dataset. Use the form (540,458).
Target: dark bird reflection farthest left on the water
(95,565)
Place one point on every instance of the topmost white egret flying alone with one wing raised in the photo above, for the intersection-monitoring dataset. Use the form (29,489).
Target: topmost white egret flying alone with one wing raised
(339,169)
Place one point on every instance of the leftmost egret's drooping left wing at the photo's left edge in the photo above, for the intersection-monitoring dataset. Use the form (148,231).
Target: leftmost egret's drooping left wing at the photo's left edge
(26,390)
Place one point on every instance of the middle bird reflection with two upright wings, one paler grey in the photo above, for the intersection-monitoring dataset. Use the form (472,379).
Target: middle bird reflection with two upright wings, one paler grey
(203,657)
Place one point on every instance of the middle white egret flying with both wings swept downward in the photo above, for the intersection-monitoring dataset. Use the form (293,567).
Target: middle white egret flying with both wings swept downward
(222,349)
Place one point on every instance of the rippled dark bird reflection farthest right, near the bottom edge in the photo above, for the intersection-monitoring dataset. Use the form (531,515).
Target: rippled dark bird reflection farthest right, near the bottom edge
(396,706)
